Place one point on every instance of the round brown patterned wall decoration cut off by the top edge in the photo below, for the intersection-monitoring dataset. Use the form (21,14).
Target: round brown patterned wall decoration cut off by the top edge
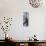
(36,3)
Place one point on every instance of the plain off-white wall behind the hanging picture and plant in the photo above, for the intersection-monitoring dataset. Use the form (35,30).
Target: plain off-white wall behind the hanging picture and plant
(15,9)
